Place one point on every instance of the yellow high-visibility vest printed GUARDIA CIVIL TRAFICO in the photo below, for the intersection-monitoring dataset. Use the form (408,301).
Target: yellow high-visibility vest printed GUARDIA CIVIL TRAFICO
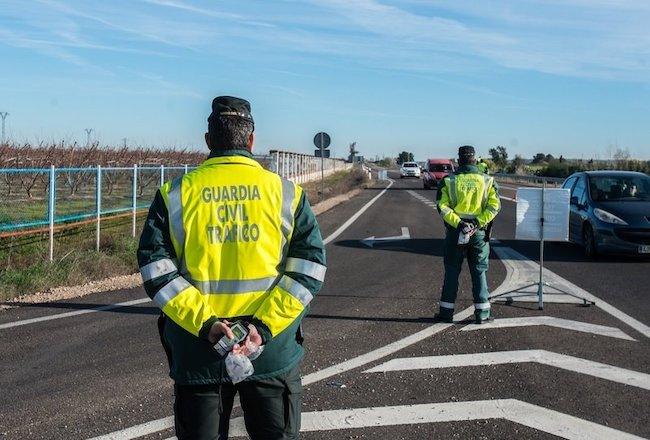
(230,224)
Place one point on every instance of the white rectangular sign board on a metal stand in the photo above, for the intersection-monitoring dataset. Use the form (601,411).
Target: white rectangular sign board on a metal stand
(529,213)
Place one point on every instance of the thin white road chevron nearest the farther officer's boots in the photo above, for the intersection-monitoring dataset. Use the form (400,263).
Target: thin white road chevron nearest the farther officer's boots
(551,321)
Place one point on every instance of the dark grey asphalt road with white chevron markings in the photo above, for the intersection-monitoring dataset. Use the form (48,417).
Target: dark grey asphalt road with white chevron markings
(585,373)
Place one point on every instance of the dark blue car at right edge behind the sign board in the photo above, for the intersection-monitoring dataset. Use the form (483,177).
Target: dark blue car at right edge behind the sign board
(610,211)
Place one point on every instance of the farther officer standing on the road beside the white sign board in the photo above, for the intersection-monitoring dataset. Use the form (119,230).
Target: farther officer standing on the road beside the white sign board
(467,200)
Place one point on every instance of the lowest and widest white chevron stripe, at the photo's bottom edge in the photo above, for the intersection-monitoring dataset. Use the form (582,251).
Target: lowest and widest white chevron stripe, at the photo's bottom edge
(523,413)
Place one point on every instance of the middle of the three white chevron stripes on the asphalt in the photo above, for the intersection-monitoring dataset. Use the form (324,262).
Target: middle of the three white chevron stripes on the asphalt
(569,363)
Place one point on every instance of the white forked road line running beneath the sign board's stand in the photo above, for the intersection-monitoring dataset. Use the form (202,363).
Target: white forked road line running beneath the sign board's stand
(522,271)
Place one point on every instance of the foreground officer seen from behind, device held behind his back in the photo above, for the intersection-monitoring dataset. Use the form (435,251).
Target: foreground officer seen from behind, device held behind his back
(231,241)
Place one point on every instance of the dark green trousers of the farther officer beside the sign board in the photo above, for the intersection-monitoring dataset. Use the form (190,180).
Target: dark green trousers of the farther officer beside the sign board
(478,254)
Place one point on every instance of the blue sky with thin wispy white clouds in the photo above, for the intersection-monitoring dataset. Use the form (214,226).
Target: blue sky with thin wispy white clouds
(565,77)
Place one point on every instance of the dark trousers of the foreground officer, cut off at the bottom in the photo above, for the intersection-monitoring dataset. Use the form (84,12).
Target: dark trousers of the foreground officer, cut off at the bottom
(271,408)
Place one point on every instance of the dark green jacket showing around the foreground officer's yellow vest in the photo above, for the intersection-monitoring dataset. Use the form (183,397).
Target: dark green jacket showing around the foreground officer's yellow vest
(192,359)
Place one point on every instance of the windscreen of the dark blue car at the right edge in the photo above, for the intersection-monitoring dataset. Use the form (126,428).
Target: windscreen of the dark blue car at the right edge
(619,187)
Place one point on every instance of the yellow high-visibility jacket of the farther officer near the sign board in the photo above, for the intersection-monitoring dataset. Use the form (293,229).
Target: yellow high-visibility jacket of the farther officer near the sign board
(466,196)
